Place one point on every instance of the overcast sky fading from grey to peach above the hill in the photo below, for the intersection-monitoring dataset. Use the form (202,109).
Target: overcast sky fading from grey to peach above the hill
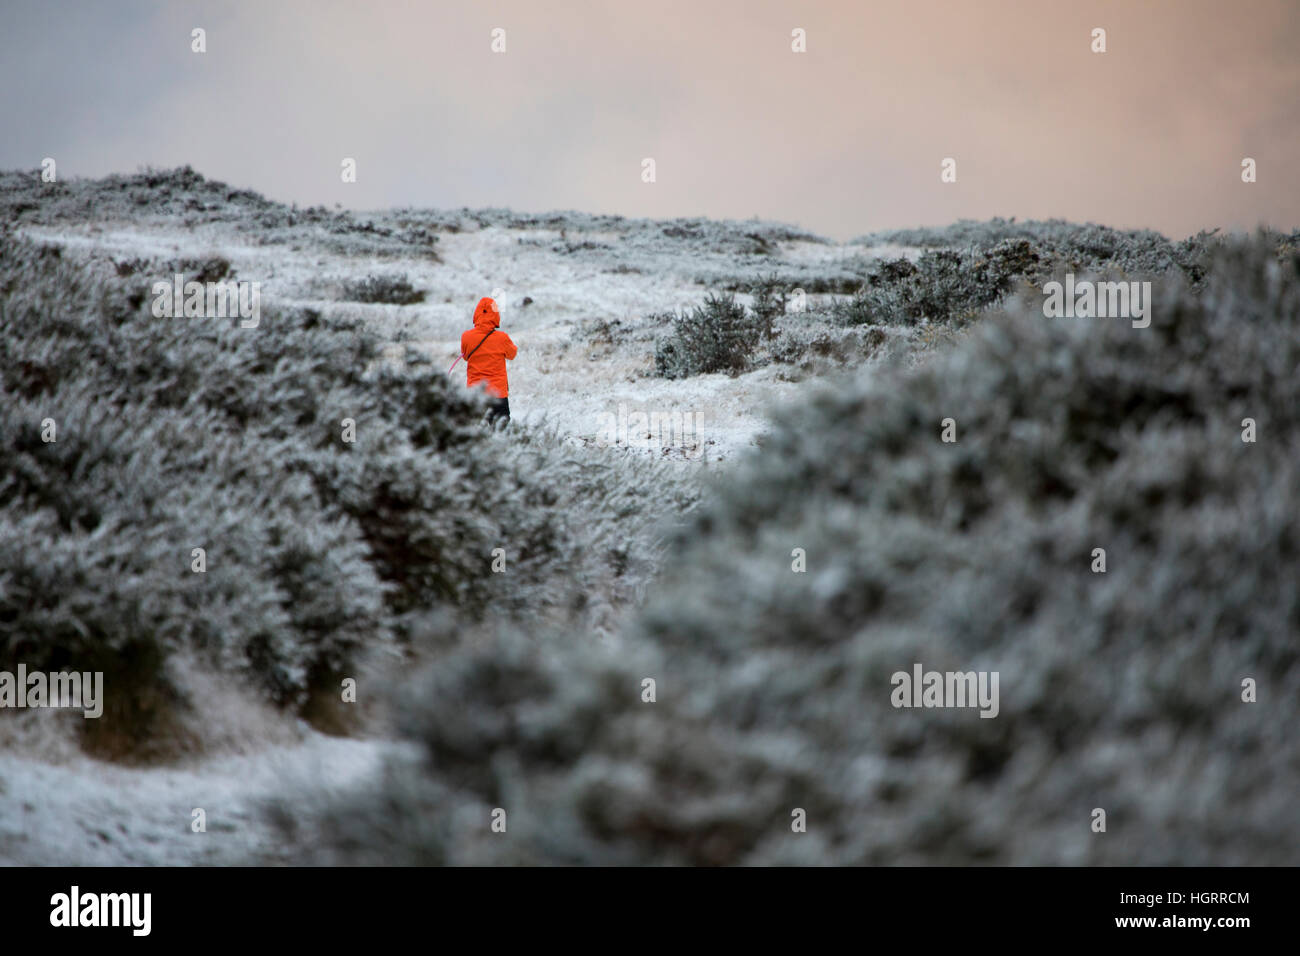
(843,140)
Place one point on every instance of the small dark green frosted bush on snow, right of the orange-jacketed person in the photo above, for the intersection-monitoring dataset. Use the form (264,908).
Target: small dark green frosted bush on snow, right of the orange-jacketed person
(718,336)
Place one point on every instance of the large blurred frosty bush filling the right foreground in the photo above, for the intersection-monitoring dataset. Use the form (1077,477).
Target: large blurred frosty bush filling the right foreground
(1121,691)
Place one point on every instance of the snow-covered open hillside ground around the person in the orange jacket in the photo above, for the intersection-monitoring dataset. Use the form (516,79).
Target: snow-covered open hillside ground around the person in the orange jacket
(557,378)
